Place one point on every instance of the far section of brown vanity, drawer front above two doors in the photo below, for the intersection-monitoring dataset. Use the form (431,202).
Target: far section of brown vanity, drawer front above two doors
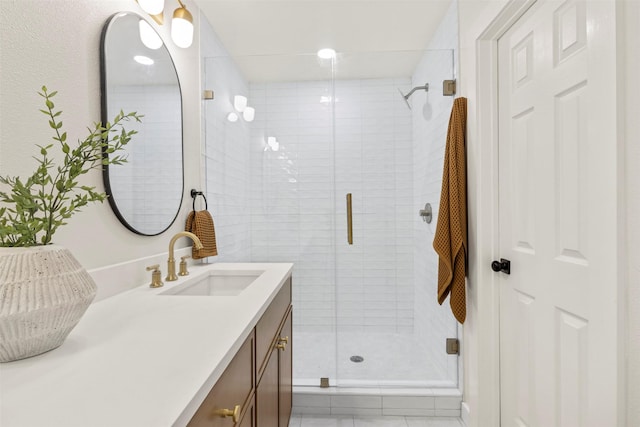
(274,359)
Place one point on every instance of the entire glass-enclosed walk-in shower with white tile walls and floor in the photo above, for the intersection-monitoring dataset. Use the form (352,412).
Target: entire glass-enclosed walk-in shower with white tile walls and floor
(365,314)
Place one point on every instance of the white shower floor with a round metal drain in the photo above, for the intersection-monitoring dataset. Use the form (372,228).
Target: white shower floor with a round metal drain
(388,359)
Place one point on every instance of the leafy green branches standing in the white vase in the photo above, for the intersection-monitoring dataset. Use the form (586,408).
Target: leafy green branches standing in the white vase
(31,211)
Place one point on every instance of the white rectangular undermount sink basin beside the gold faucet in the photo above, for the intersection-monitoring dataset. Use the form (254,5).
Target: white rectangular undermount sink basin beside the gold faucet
(216,283)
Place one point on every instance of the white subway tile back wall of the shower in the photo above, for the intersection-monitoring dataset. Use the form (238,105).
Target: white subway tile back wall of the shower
(299,203)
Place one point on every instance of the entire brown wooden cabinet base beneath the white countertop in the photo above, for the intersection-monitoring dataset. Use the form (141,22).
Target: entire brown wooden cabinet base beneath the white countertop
(259,376)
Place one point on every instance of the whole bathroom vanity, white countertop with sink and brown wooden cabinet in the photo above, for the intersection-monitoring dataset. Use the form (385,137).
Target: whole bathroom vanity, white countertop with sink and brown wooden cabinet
(198,351)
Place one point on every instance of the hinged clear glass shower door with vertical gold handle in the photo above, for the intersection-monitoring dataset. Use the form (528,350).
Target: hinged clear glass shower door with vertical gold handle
(390,330)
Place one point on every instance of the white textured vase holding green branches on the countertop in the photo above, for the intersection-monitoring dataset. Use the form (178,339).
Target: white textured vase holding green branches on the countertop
(44,292)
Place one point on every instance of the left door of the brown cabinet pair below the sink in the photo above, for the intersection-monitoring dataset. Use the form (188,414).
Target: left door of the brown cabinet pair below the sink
(267,393)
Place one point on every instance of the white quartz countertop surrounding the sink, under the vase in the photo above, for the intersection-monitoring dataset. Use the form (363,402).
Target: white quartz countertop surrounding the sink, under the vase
(138,359)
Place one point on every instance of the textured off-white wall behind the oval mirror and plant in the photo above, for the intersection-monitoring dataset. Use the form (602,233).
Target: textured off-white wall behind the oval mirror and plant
(57,44)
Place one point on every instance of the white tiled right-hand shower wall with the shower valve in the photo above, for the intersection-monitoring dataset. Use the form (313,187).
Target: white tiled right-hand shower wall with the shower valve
(434,323)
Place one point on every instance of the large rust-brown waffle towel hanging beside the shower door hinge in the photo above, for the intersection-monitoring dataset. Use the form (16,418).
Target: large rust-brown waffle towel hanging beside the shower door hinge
(450,241)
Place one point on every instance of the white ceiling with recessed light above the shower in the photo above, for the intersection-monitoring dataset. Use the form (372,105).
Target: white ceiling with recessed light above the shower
(277,40)
